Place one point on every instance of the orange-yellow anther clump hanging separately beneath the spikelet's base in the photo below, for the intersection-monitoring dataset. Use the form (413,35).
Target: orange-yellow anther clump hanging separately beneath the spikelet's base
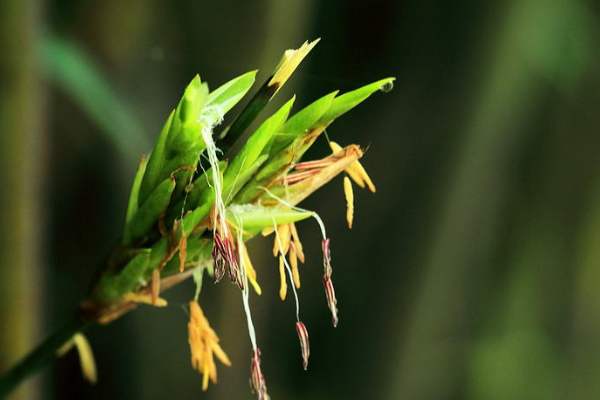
(204,345)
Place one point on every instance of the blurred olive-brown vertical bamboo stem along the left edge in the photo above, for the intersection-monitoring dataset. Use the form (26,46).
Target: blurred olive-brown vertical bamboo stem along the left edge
(20,217)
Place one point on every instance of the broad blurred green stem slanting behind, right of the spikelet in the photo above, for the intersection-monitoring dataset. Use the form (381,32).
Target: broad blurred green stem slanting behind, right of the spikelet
(466,229)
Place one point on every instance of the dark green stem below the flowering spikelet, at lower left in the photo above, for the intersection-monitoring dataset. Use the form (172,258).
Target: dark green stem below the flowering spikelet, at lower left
(42,355)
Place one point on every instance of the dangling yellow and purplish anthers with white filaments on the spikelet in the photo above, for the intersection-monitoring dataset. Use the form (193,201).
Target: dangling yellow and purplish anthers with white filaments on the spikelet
(230,254)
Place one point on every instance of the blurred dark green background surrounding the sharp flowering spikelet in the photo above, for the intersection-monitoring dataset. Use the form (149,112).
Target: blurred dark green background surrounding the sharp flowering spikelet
(473,273)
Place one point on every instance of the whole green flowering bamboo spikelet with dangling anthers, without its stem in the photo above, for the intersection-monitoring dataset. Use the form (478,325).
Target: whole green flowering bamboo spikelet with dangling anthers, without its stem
(194,199)
